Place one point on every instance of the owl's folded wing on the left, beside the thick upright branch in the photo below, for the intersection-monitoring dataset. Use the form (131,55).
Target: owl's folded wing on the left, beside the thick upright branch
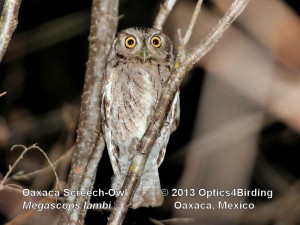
(112,148)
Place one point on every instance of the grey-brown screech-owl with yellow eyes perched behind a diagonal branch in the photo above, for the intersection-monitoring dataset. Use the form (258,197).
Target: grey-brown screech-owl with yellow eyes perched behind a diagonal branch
(139,63)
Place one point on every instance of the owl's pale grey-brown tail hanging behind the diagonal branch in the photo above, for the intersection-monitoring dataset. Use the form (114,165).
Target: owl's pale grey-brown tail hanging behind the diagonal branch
(148,193)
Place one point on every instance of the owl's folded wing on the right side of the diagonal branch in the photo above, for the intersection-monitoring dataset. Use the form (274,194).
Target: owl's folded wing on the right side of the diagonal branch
(170,125)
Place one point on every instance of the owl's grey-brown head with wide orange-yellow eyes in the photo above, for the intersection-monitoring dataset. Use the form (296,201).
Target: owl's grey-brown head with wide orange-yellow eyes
(143,44)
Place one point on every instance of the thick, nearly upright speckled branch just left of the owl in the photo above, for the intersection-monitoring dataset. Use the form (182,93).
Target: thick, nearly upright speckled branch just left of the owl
(90,144)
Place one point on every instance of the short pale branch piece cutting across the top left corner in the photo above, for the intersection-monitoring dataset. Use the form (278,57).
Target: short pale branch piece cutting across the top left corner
(8,23)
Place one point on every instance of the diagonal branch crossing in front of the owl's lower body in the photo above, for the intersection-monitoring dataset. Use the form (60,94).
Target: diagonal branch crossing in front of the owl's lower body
(168,92)
